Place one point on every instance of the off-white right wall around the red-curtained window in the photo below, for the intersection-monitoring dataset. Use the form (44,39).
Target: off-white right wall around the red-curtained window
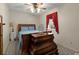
(68,19)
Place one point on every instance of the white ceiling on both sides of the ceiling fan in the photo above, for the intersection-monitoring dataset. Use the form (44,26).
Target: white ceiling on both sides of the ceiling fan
(24,8)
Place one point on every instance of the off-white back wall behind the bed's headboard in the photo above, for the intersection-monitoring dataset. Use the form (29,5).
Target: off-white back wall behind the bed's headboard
(18,17)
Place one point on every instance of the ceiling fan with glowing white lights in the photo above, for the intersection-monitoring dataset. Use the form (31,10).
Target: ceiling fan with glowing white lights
(36,7)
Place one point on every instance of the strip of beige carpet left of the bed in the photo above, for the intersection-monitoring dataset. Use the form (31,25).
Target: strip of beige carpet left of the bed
(12,48)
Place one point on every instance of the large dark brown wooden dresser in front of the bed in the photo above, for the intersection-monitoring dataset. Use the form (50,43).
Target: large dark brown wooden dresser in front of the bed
(43,44)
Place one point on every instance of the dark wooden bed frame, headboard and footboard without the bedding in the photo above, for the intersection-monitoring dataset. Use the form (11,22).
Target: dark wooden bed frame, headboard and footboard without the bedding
(25,38)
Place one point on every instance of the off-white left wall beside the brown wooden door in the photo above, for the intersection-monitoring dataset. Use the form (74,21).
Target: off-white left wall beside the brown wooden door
(5,13)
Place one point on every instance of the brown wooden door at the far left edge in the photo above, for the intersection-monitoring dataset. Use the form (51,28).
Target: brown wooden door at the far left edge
(1,36)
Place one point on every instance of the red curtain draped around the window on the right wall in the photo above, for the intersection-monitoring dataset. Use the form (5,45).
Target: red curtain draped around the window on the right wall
(54,19)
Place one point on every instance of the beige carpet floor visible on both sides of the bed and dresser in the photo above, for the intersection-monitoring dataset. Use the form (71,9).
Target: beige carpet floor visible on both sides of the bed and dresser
(13,49)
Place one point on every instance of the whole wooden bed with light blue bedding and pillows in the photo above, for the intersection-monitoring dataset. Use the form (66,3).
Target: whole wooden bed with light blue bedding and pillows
(24,35)
